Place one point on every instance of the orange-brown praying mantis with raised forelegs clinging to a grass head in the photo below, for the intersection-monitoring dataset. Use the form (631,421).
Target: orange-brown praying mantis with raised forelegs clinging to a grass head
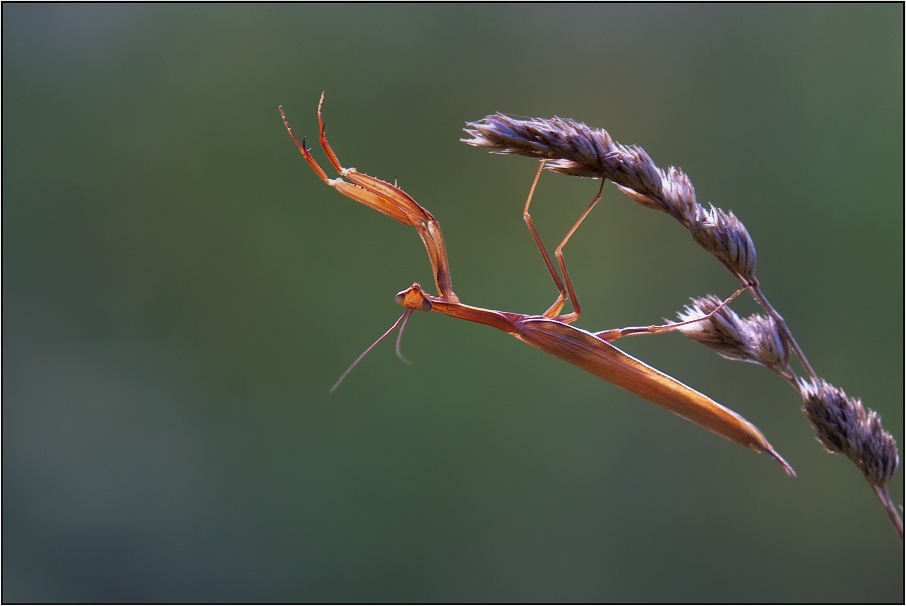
(552,331)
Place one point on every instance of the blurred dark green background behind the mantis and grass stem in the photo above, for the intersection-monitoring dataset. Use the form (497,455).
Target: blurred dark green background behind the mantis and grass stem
(180,291)
